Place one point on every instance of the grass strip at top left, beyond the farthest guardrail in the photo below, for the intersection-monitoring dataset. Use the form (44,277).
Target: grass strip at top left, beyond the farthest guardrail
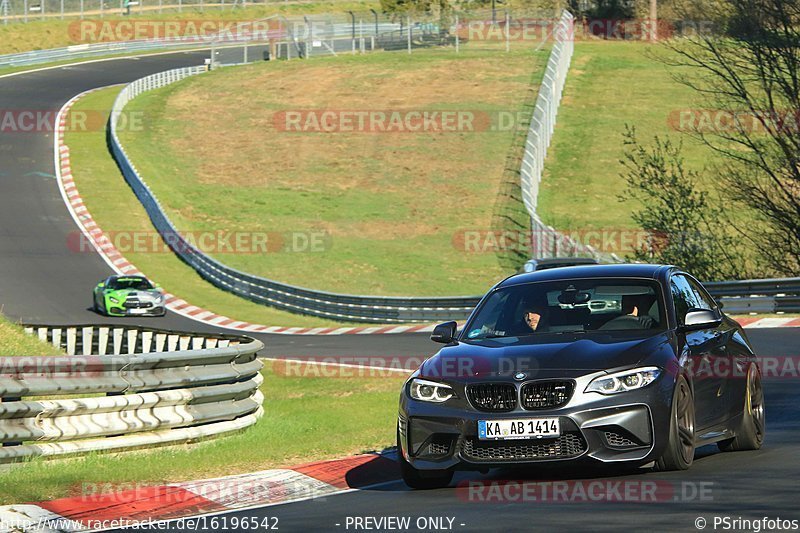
(55,33)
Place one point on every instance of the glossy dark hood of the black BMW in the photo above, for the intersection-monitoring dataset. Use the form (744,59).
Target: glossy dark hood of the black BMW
(541,356)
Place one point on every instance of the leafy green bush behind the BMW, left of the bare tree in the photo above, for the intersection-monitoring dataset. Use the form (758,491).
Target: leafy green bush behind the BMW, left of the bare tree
(686,227)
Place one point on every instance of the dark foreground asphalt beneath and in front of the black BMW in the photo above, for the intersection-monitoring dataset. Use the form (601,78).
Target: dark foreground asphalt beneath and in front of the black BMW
(749,485)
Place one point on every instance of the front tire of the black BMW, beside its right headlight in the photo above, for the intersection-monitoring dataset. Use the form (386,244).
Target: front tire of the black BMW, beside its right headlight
(679,453)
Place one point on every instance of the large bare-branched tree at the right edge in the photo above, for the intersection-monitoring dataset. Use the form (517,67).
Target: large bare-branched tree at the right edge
(750,69)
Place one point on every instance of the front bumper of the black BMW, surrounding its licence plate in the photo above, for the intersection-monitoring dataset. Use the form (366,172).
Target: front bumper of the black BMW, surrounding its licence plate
(630,427)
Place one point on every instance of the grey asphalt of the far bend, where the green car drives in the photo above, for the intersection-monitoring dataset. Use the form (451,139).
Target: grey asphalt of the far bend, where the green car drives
(42,280)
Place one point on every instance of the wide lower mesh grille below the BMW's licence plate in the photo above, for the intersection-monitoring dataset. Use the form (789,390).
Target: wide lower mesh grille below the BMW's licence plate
(566,446)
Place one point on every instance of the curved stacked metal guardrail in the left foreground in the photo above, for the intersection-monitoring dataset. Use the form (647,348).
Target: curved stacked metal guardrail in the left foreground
(172,387)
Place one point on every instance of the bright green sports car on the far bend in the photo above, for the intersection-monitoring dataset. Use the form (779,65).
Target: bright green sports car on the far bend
(128,296)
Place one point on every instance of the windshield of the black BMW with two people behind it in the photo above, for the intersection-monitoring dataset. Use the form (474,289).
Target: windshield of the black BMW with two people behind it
(572,306)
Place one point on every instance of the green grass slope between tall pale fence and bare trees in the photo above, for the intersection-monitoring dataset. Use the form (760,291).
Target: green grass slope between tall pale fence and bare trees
(610,84)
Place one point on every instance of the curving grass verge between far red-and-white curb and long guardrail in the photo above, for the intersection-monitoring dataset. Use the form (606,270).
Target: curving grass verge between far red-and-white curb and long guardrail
(115,208)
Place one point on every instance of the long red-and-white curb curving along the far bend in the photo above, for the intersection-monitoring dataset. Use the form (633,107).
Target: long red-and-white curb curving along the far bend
(121,265)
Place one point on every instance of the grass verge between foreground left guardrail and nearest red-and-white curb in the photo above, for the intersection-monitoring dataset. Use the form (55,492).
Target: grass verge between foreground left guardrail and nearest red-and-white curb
(306,418)
